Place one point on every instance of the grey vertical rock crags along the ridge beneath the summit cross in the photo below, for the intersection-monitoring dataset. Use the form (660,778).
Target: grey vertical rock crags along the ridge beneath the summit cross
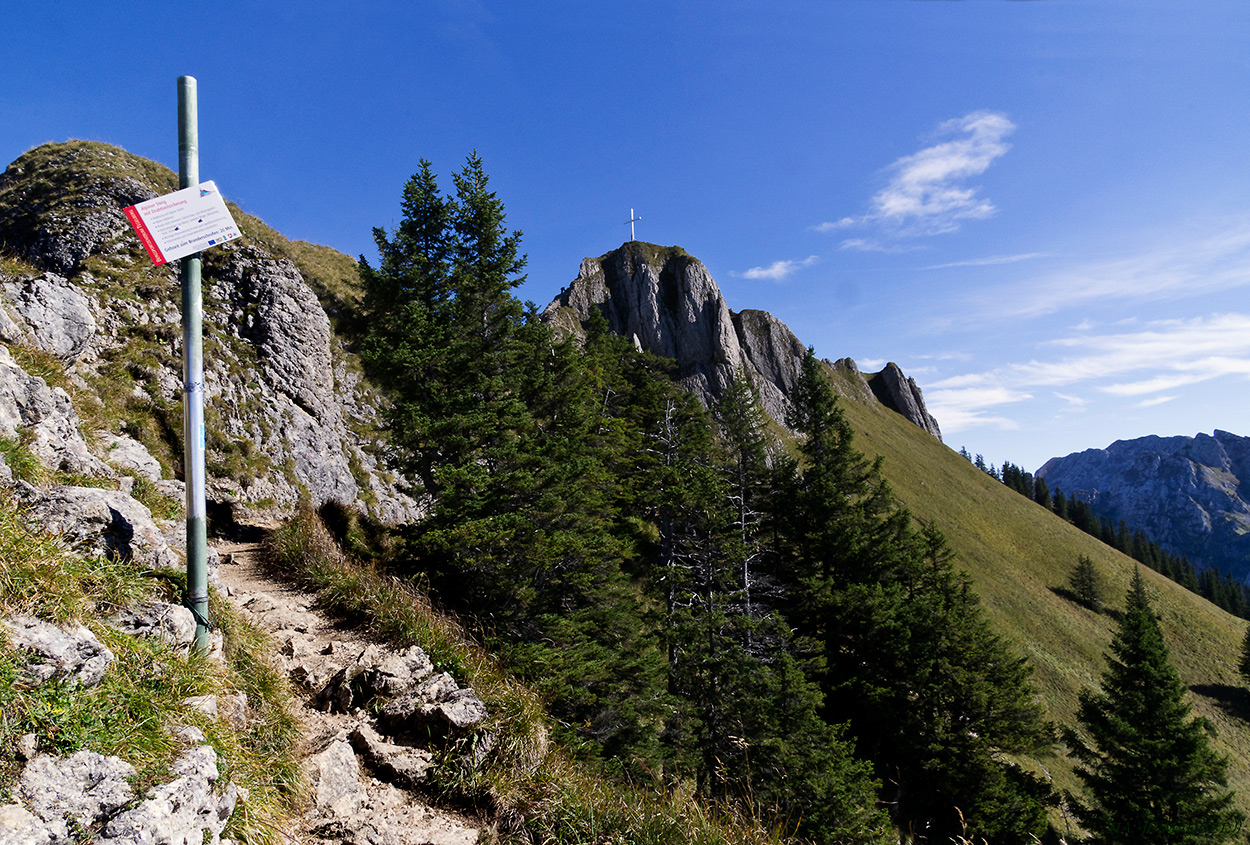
(668,304)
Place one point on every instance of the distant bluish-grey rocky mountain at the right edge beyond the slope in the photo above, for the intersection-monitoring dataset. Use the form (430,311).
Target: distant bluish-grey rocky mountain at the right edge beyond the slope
(1184,493)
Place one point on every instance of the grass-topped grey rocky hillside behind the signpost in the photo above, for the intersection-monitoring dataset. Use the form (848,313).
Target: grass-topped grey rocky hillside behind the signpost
(286,411)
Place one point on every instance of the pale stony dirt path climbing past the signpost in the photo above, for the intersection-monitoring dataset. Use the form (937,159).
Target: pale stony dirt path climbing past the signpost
(352,806)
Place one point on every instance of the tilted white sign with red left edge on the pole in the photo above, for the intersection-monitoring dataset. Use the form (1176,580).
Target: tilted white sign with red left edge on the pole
(183,223)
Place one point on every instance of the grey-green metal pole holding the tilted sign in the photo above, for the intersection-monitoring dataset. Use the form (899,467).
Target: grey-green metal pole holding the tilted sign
(193,379)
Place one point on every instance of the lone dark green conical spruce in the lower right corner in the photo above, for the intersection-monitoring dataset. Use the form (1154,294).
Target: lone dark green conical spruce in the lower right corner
(1151,774)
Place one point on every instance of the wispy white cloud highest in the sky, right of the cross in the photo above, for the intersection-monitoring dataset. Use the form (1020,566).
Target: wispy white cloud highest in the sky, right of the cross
(928,192)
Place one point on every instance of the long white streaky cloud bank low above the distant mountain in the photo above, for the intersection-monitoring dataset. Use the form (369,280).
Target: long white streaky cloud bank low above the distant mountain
(1147,366)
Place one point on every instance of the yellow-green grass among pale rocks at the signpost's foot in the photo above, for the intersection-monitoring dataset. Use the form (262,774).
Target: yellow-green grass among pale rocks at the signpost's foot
(142,698)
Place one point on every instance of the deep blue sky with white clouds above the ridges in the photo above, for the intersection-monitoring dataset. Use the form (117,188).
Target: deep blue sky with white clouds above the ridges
(1039,209)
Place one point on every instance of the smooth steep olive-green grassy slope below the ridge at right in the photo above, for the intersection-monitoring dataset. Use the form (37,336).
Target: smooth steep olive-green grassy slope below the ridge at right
(1017,553)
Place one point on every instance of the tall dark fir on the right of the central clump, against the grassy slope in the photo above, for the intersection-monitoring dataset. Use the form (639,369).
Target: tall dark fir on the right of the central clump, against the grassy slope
(897,641)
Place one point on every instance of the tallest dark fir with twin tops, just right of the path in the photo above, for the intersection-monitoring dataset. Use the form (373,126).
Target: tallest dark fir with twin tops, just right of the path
(498,423)
